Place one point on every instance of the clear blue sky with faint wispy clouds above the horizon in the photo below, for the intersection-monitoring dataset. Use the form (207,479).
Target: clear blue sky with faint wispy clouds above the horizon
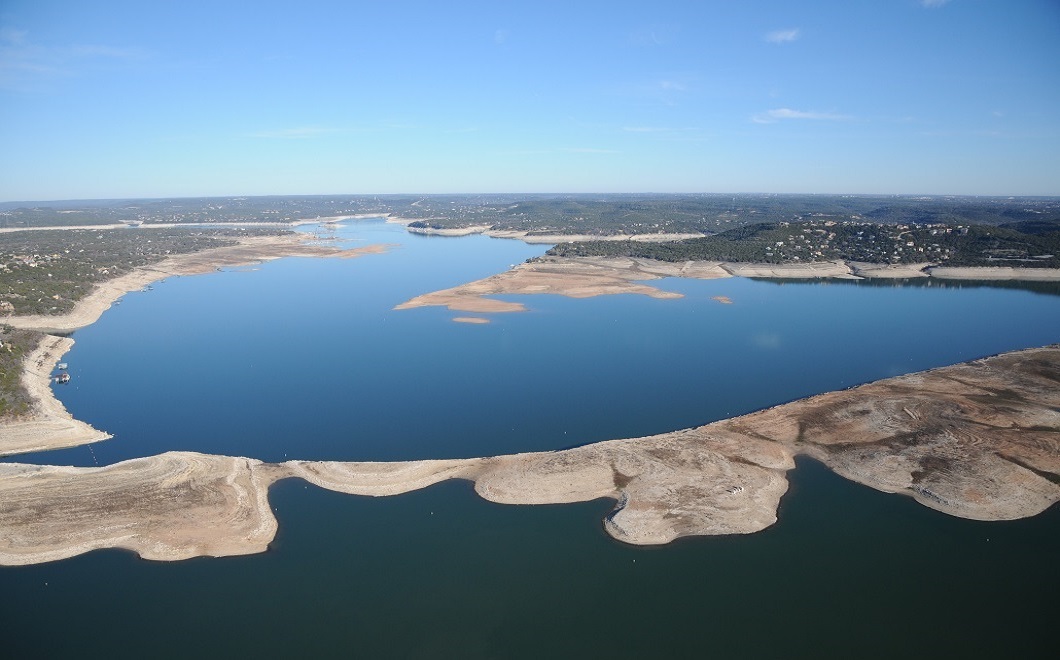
(102,100)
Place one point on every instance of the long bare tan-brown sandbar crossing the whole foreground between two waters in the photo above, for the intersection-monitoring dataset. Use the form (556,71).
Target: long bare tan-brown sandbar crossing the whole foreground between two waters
(985,450)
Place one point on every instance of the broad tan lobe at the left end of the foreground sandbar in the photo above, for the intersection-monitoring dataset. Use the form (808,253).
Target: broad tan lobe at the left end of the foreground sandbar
(170,507)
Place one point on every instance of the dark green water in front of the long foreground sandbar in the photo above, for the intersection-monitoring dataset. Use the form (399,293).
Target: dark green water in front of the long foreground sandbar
(846,572)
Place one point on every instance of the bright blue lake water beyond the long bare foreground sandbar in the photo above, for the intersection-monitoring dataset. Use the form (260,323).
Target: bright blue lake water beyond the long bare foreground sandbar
(307,359)
